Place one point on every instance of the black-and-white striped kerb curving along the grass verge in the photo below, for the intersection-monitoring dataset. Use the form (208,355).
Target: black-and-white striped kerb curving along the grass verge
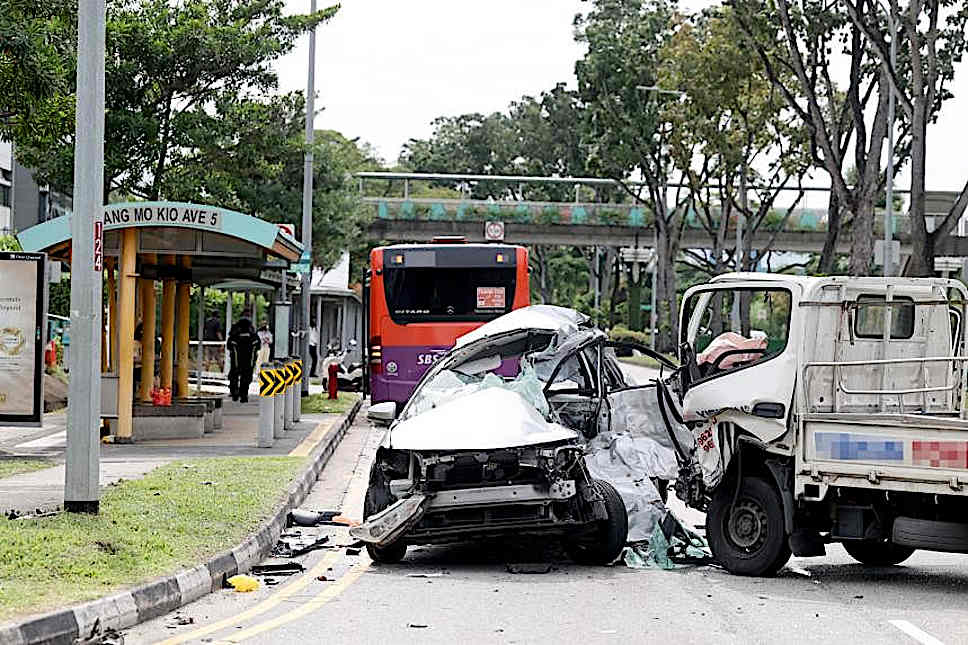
(161,595)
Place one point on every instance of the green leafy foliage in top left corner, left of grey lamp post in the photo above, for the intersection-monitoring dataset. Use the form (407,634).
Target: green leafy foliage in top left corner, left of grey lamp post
(37,41)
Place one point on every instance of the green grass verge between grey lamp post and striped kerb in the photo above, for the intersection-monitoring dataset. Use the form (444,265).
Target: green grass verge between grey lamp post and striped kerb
(174,517)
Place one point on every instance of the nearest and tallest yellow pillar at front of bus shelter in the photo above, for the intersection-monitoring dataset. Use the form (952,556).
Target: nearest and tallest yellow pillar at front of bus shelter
(125,317)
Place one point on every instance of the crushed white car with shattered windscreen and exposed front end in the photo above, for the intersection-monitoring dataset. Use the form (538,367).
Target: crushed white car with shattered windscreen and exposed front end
(493,443)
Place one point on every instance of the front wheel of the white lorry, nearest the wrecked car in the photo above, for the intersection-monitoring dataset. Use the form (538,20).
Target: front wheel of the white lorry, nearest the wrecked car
(748,538)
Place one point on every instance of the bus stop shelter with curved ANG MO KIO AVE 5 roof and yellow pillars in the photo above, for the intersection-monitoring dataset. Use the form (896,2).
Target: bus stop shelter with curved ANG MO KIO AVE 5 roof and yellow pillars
(176,244)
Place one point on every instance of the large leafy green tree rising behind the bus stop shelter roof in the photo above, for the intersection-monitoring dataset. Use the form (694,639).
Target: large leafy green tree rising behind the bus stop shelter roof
(167,66)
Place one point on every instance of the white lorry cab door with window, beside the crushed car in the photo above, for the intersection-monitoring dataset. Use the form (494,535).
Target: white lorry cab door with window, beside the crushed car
(743,363)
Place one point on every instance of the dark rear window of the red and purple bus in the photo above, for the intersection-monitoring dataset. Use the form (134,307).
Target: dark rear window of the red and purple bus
(452,294)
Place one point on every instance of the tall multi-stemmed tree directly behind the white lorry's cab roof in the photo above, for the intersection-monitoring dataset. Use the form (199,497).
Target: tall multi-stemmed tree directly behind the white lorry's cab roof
(835,119)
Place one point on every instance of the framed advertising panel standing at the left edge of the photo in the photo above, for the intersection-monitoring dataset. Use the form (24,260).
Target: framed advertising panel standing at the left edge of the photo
(21,338)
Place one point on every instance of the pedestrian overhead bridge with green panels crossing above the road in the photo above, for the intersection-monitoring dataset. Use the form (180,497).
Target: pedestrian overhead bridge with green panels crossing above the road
(583,223)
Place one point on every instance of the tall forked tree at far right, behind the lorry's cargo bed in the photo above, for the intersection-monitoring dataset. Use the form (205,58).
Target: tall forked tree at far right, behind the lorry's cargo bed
(927,52)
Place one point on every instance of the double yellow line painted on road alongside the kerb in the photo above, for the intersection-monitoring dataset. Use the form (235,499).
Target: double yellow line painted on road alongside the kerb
(317,601)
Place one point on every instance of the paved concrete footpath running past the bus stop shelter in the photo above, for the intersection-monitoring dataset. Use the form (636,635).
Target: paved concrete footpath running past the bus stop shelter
(43,490)
